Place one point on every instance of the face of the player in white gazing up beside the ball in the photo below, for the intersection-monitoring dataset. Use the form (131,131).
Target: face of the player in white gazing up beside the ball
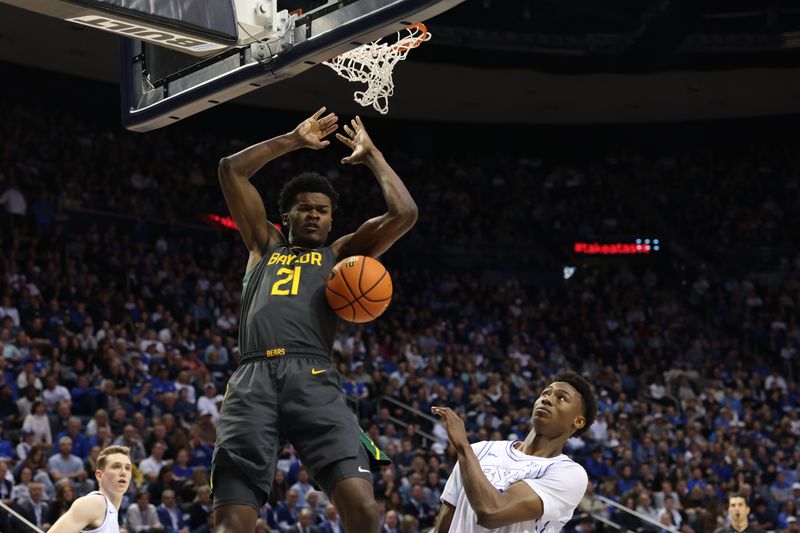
(558,410)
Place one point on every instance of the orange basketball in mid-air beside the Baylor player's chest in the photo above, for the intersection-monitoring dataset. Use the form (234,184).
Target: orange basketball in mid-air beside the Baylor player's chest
(359,289)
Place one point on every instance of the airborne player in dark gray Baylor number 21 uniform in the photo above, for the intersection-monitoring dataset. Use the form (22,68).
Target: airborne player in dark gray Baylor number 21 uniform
(285,388)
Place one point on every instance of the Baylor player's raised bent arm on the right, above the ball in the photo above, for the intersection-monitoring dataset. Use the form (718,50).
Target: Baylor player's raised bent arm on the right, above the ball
(376,235)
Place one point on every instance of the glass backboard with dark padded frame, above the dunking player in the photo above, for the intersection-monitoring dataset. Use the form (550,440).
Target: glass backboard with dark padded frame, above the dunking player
(161,86)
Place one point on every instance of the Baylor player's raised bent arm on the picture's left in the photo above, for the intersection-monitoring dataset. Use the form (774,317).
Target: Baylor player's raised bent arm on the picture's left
(243,199)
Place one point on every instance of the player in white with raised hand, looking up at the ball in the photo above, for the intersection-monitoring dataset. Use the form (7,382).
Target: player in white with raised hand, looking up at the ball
(520,487)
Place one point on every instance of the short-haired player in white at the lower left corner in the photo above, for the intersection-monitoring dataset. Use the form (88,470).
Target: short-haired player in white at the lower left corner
(97,512)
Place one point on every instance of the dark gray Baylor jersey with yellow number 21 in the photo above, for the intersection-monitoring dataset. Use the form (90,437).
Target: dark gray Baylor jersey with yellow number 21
(284,310)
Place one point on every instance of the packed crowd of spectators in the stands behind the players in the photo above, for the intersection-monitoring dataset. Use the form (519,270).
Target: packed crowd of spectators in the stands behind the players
(118,323)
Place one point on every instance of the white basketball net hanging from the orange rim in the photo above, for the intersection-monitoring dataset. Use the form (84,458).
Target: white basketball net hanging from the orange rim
(373,64)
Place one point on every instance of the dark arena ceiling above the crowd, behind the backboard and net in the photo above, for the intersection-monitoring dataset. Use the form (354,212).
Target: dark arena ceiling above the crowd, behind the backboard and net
(527,61)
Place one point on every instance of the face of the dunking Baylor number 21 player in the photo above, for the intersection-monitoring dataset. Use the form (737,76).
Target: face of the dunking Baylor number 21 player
(309,219)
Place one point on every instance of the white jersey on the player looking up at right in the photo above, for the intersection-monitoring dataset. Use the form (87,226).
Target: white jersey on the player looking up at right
(559,481)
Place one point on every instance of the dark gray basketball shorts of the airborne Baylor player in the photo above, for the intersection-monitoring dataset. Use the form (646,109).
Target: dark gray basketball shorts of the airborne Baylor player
(272,401)
